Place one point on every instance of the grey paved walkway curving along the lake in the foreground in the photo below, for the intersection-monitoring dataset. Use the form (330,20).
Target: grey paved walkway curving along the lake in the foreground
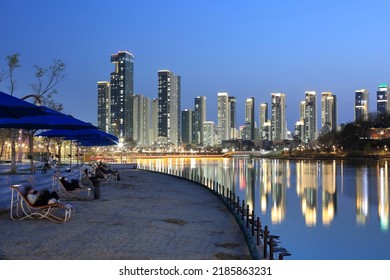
(146,216)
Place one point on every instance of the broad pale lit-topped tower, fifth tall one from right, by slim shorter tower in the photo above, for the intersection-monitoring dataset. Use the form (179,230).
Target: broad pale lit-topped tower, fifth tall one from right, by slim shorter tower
(278,116)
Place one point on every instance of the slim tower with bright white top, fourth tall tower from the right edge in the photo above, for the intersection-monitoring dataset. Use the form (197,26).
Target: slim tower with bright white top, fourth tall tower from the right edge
(310,116)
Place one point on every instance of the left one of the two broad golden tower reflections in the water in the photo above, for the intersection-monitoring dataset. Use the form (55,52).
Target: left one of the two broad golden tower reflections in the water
(307,189)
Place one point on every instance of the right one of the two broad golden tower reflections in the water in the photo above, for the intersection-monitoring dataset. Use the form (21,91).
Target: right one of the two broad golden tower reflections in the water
(329,191)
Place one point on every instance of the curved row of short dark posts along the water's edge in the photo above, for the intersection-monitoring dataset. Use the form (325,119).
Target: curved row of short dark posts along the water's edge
(237,207)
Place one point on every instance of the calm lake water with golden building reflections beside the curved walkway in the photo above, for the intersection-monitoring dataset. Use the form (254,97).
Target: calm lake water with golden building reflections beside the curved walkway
(323,210)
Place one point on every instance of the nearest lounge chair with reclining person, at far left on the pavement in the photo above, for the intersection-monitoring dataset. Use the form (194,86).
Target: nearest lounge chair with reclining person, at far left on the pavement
(21,208)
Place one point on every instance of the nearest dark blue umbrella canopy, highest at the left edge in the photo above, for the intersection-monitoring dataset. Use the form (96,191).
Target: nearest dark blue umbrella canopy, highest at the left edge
(13,107)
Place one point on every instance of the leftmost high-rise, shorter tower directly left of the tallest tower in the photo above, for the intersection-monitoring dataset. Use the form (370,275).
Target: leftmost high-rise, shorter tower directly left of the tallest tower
(103,110)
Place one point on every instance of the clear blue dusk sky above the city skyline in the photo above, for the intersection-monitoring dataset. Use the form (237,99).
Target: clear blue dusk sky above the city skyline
(246,48)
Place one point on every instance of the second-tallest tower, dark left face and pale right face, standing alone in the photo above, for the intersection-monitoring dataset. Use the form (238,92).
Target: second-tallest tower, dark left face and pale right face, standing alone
(169,106)
